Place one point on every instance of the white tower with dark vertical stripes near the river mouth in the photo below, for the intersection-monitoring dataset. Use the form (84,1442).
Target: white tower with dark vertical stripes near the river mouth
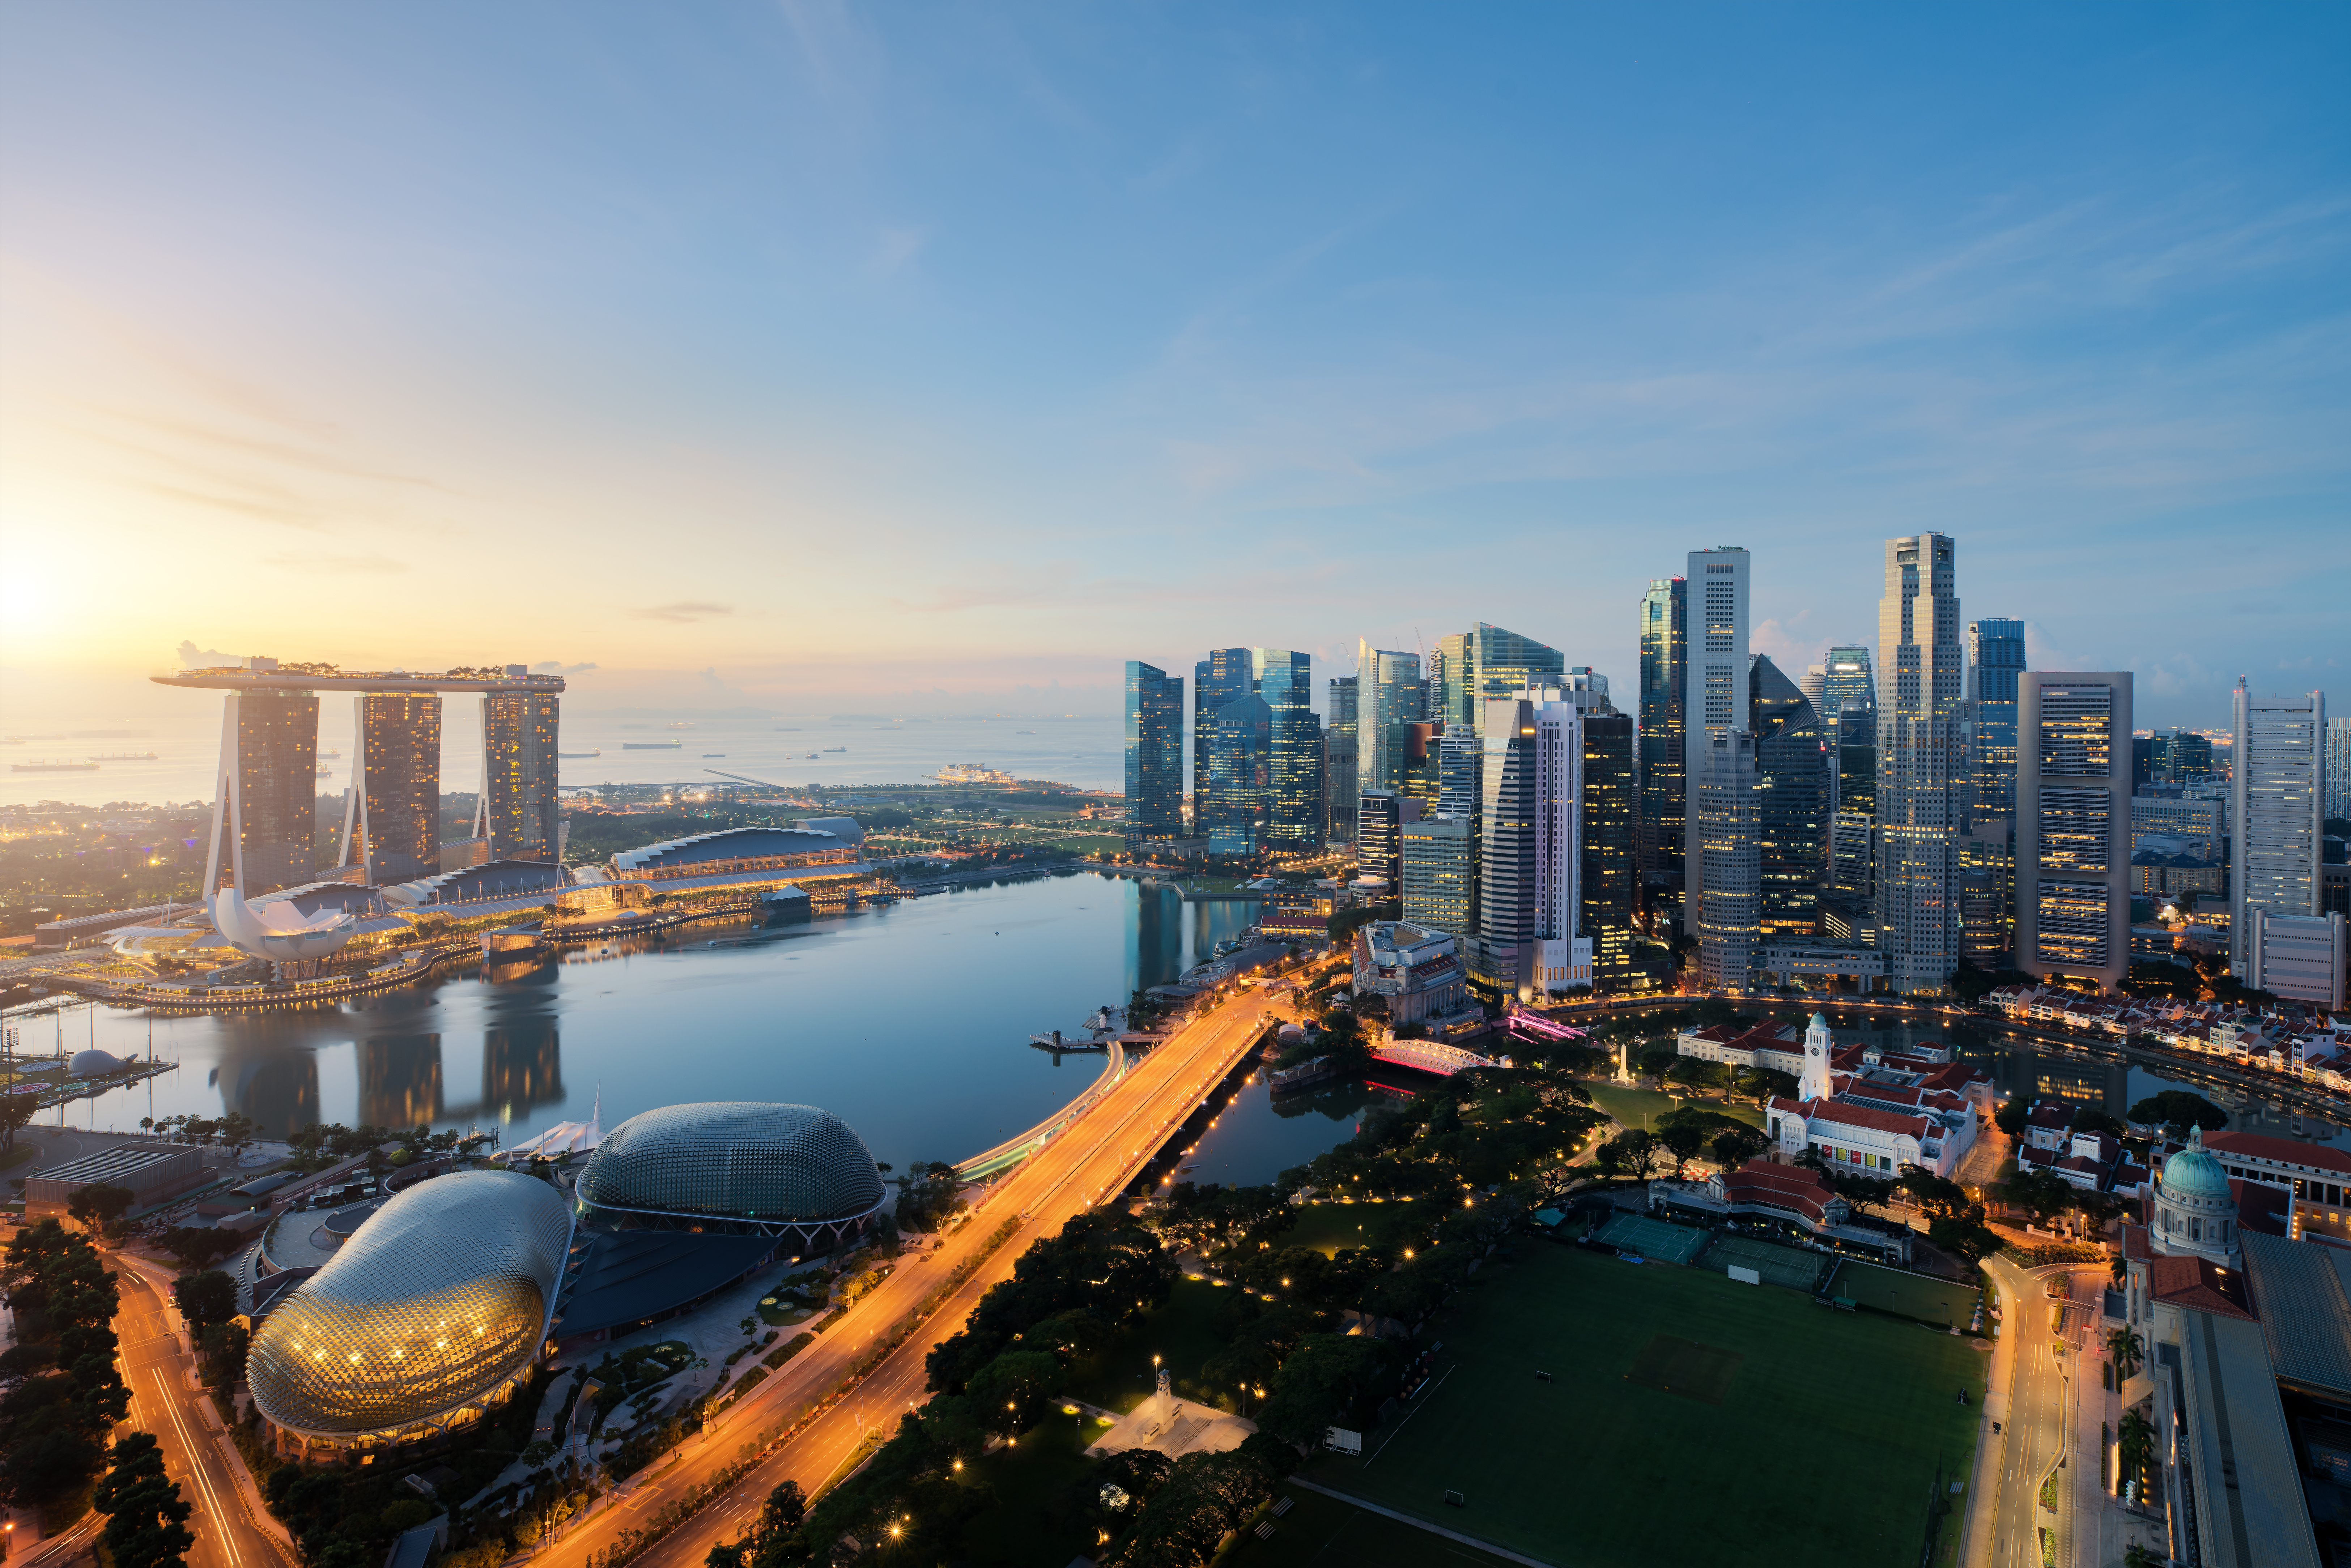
(1529,852)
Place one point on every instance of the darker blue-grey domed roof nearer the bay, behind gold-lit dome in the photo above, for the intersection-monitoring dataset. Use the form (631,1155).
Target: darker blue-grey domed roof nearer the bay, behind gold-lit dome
(735,1160)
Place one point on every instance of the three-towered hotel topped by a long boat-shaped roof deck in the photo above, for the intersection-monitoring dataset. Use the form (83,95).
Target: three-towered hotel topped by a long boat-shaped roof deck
(267,784)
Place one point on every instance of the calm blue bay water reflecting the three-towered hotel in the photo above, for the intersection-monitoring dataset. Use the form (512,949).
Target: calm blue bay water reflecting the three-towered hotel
(909,1021)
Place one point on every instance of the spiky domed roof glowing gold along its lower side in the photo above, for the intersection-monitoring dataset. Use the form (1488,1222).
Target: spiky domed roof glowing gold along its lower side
(431,1311)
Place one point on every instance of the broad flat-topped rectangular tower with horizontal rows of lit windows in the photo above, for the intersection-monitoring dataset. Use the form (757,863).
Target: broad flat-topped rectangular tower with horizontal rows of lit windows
(2075,824)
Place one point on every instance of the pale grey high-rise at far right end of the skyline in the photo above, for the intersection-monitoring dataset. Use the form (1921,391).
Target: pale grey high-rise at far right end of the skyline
(2275,812)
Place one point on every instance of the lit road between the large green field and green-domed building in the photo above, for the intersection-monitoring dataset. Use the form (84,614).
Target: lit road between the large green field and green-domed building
(2037,1412)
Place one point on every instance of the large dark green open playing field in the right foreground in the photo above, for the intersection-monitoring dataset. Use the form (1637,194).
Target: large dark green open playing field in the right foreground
(1689,1421)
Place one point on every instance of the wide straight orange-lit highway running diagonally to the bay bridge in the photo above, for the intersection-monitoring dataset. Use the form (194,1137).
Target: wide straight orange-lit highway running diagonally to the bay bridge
(1080,1170)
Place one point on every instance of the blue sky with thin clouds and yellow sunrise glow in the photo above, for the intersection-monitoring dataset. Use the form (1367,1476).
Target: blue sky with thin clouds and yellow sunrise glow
(942,359)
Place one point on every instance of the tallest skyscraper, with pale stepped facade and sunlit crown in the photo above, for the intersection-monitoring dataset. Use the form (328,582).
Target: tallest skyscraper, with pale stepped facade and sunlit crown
(1922,758)
